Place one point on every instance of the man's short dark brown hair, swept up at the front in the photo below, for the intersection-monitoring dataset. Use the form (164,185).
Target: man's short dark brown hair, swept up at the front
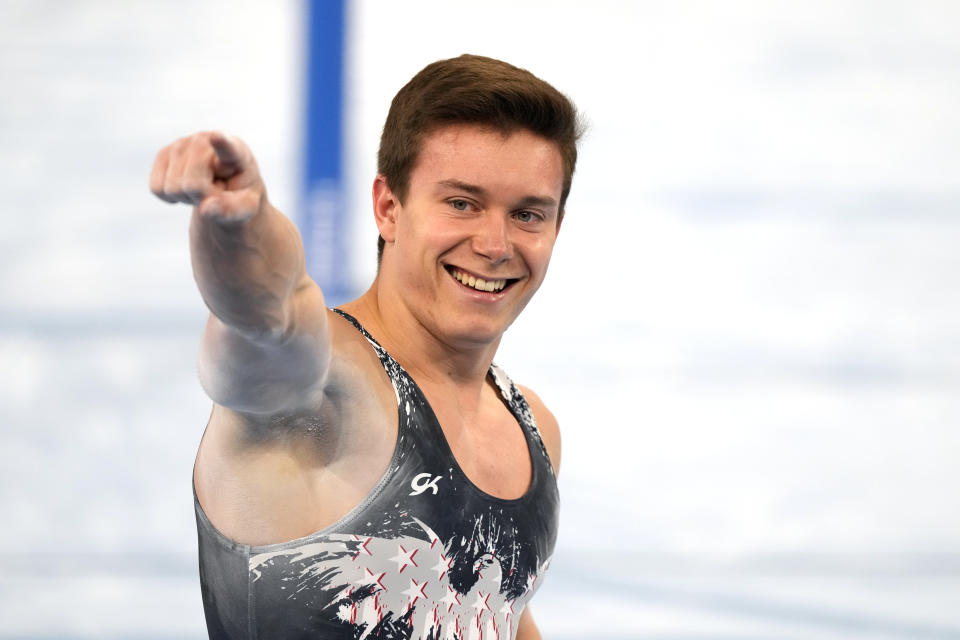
(474,89)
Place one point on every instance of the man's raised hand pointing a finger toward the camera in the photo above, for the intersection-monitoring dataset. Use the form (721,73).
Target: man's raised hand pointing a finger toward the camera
(214,172)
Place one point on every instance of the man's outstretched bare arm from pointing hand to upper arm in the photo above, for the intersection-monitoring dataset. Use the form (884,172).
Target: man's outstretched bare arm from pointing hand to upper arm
(266,347)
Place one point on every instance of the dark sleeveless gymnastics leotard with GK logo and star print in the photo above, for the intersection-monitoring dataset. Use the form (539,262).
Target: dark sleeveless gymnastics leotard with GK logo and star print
(425,556)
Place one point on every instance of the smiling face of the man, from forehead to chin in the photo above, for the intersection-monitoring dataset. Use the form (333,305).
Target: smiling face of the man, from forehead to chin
(474,238)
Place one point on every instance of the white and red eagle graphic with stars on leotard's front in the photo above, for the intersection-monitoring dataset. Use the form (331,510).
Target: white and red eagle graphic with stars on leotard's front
(401,587)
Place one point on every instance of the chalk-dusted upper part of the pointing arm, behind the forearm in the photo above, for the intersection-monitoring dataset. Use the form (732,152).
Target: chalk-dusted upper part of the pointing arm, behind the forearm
(268,375)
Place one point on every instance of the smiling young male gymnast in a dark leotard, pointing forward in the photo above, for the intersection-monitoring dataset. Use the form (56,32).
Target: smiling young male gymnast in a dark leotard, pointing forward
(368,472)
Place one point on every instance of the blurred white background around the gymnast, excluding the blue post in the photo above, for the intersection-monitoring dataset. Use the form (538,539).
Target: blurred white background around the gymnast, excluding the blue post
(750,333)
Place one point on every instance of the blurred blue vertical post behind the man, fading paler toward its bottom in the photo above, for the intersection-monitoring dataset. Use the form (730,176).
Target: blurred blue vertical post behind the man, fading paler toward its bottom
(323,223)
